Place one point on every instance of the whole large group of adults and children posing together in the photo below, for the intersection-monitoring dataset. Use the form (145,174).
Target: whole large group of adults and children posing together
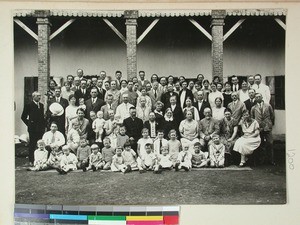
(138,124)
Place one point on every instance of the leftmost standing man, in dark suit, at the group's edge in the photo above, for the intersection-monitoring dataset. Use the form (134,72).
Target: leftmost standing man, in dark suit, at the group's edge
(33,117)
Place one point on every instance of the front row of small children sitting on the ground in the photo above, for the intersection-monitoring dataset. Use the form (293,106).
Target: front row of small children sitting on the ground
(124,159)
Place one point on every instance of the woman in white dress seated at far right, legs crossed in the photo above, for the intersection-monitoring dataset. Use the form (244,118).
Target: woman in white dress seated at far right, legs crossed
(250,140)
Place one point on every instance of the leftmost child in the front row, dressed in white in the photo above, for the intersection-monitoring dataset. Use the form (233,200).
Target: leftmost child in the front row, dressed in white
(40,157)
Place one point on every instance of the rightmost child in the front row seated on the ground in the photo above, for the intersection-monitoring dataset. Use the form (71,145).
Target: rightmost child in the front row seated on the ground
(216,152)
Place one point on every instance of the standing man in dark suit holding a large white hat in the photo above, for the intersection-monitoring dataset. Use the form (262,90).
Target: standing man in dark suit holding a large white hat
(59,119)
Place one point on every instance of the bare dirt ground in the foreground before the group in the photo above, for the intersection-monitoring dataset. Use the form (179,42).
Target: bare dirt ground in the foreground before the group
(262,184)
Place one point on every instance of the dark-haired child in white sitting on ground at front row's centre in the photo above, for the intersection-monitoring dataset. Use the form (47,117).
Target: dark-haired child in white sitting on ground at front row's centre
(146,161)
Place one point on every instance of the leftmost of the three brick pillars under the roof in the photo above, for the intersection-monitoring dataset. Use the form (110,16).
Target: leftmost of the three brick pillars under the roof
(43,51)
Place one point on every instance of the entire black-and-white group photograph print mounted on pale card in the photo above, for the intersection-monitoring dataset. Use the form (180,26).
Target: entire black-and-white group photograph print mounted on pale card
(137,106)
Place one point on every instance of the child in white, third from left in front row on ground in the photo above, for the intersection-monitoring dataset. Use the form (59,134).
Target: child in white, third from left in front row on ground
(68,161)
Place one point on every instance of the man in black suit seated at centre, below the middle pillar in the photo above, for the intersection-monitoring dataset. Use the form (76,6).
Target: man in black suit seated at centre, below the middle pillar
(134,127)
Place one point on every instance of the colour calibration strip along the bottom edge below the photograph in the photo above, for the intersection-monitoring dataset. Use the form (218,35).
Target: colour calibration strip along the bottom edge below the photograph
(95,215)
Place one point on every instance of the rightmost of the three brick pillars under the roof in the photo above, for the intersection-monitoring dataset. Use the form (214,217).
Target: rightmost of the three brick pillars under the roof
(217,24)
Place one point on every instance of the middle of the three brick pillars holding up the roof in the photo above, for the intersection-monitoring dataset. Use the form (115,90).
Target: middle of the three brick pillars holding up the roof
(131,42)
